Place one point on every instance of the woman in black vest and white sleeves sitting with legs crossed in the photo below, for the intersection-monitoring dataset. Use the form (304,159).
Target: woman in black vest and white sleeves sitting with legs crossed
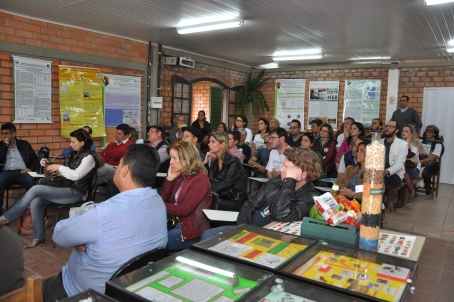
(63,184)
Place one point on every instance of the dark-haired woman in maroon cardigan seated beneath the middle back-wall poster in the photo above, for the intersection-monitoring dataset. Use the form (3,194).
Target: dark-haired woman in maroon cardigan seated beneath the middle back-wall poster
(326,145)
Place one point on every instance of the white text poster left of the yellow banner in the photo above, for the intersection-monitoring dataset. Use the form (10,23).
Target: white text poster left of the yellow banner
(32,90)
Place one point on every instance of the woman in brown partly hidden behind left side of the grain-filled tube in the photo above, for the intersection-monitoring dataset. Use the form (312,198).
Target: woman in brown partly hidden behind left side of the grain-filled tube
(354,175)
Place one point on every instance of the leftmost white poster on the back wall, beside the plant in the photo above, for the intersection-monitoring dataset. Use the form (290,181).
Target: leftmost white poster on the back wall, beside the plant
(289,100)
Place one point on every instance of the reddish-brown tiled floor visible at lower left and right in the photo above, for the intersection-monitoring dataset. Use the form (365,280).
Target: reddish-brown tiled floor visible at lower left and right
(433,219)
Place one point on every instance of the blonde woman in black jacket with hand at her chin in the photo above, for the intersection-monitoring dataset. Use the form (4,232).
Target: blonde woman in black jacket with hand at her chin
(226,172)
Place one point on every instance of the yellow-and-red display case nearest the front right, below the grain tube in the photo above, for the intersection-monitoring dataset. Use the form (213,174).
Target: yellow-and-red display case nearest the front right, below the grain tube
(363,275)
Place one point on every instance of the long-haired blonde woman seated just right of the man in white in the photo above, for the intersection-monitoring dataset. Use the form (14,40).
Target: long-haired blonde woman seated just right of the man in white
(412,164)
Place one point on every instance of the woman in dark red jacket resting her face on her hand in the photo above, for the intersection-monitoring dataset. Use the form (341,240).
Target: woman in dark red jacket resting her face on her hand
(186,192)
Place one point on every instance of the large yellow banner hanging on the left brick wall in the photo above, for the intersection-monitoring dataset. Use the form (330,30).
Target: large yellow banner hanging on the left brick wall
(81,99)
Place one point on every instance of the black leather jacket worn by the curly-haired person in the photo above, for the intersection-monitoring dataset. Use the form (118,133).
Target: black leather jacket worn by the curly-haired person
(287,204)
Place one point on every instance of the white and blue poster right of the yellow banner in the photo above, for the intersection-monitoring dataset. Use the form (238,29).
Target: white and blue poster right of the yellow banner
(122,96)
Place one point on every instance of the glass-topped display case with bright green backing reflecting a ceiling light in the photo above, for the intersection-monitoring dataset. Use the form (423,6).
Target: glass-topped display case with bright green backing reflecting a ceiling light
(188,276)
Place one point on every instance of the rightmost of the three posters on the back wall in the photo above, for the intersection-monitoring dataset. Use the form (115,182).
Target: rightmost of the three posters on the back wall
(362,100)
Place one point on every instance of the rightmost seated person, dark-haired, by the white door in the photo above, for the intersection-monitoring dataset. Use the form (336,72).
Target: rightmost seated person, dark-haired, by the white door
(433,150)
